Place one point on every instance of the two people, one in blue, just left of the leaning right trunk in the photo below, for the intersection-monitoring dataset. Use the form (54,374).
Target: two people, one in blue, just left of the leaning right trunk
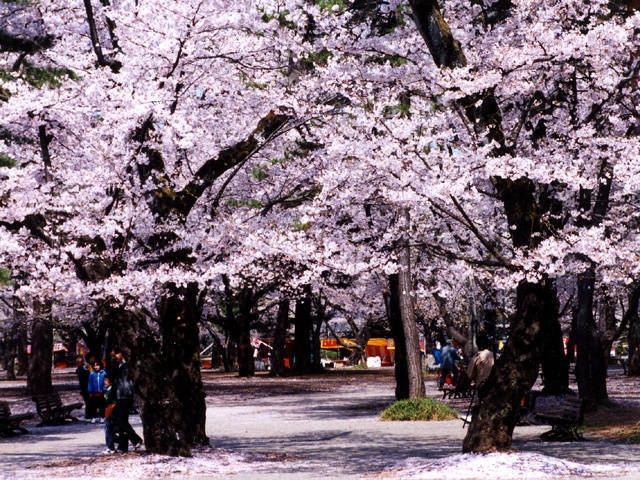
(451,358)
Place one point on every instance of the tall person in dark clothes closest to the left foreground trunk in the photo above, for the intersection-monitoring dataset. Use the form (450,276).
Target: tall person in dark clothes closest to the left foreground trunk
(124,401)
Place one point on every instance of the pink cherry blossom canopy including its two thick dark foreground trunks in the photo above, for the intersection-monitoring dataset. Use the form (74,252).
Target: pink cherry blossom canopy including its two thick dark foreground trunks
(152,149)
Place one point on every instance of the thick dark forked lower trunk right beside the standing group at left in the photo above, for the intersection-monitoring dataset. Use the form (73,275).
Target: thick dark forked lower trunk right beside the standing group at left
(167,377)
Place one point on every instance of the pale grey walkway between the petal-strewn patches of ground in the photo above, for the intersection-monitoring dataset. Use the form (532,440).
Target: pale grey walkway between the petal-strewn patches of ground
(316,435)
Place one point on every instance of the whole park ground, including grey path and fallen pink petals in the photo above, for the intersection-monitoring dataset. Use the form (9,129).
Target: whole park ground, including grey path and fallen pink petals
(324,427)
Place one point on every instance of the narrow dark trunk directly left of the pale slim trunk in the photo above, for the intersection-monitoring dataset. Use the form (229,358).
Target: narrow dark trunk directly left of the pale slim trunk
(392,301)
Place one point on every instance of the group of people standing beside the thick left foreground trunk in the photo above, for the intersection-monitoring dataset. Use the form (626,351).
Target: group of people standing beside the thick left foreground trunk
(109,397)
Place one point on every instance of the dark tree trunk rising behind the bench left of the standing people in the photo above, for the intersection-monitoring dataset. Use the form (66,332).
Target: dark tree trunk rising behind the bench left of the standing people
(40,359)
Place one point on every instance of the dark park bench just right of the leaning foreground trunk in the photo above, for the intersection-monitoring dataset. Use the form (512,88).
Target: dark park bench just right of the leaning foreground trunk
(565,414)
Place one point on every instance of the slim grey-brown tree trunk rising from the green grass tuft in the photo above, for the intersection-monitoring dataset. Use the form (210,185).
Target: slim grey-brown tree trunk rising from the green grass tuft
(409,324)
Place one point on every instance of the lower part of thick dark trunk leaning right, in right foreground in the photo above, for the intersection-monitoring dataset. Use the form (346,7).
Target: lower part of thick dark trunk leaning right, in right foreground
(515,371)
